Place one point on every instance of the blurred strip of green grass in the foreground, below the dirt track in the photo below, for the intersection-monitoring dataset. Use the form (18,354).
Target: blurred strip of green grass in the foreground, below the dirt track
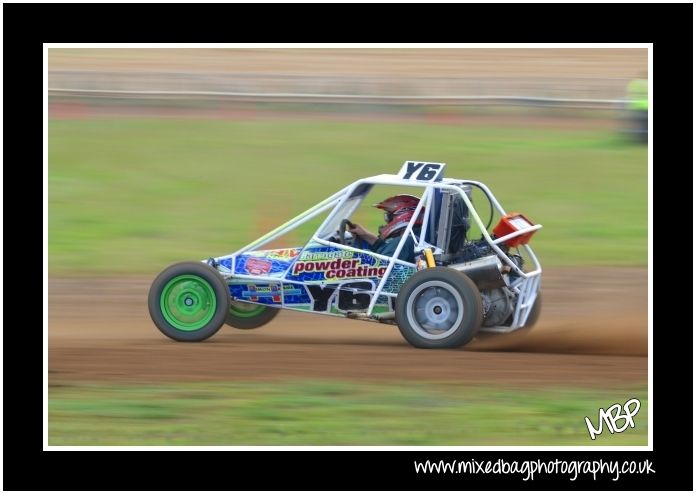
(333,413)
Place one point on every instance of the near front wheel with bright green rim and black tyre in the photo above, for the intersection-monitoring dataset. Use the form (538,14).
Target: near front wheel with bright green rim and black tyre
(189,301)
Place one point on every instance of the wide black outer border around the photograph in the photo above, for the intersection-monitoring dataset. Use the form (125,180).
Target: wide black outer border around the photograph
(27,26)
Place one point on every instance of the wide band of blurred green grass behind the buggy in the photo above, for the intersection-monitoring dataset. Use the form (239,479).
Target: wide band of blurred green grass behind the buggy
(133,195)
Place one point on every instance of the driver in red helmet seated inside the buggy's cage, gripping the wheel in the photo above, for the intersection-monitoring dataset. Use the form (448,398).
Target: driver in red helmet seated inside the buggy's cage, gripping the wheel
(398,211)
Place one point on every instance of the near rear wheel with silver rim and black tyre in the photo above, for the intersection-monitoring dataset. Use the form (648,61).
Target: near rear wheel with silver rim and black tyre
(439,308)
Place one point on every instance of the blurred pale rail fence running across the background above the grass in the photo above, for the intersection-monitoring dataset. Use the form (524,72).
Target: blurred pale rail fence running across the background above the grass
(539,90)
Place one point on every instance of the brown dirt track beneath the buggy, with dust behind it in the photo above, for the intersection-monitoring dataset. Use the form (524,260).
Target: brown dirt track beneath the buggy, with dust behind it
(591,333)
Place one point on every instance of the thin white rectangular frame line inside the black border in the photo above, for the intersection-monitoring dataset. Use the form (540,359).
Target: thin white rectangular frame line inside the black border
(46,447)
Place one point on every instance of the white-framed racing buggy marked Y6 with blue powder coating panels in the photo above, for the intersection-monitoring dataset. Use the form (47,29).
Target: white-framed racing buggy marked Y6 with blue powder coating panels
(456,288)
